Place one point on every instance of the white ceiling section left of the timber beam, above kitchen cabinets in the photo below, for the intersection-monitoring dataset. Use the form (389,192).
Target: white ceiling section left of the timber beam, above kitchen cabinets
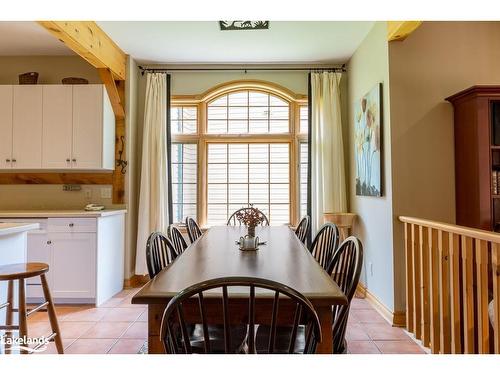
(27,38)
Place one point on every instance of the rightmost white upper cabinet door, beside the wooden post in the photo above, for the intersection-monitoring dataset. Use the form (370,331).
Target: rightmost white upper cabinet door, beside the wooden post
(87,126)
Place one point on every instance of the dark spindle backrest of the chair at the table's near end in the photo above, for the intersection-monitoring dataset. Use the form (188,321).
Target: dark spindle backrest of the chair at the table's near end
(174,330)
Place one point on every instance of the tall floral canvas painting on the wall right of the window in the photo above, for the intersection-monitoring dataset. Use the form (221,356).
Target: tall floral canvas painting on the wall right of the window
(367,123)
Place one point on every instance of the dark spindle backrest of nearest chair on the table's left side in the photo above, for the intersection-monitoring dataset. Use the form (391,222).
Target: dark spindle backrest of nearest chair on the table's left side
(159,253)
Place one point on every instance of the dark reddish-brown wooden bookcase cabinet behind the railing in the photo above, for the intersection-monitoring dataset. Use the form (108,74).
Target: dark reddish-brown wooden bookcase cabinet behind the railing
(477,156)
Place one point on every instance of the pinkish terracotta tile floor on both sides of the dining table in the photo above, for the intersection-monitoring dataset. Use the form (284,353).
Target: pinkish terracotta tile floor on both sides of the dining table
(118,327)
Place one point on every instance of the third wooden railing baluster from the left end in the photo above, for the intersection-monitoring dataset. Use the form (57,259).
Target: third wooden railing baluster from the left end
(424,281)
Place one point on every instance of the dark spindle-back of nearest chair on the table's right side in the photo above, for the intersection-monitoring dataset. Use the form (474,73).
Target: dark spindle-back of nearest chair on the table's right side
(345,270)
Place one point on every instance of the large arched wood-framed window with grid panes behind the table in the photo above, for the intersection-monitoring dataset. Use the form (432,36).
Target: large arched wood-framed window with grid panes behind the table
(238,144)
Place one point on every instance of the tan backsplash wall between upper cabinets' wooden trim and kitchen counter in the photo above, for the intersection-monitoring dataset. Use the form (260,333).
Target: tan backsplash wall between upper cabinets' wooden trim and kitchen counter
(37,197)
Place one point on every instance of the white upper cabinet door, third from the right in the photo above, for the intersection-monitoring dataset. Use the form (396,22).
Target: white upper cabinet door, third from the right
(27,127)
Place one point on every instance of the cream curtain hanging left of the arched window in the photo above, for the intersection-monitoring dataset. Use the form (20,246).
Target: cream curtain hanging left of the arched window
(153,198)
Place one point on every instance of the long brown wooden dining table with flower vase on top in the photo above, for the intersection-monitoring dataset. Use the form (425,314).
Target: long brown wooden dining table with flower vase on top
(283,258)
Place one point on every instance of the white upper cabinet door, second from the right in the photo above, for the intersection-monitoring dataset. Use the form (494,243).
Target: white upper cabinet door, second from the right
(57,126)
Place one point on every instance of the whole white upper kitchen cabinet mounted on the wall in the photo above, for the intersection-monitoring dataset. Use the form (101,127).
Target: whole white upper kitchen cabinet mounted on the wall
(54,127)
